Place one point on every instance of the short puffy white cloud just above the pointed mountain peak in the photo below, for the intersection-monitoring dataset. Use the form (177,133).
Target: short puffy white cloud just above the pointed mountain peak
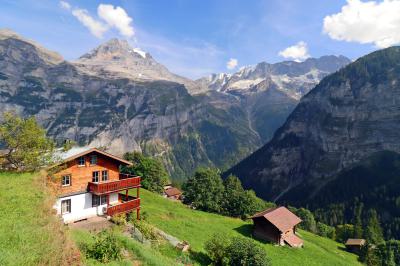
(116,17)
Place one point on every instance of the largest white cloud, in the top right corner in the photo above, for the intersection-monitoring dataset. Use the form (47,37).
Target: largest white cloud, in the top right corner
(366,22)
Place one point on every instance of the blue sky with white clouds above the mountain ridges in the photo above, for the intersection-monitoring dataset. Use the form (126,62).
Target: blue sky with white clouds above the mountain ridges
(194,38)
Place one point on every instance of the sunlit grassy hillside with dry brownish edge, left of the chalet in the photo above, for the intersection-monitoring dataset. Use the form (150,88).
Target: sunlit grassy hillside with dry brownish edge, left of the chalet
(29,233)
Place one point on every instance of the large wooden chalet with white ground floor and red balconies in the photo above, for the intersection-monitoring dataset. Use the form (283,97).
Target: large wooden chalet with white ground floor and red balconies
(89,183)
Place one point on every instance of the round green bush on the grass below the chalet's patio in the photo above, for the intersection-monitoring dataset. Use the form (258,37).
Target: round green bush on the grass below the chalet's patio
(104,248)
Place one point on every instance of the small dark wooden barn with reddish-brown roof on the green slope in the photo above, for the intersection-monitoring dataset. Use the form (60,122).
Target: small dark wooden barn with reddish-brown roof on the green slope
(277,225)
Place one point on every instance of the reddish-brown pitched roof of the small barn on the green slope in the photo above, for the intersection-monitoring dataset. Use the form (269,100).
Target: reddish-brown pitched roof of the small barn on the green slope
(280,217)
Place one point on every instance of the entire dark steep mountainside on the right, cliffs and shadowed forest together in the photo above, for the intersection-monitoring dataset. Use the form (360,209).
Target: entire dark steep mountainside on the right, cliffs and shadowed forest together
(339,148)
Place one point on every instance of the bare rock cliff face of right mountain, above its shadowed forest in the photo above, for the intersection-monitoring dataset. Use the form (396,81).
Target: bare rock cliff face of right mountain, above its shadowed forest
(349,116)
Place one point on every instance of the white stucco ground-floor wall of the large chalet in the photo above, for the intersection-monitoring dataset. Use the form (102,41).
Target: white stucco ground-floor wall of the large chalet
(81,207)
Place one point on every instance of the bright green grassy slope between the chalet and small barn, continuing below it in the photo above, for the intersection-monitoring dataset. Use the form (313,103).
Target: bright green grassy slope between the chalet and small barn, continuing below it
(196,227)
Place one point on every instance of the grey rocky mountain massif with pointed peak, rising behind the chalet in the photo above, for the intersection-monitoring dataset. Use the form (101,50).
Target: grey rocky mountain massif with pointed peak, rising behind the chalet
(120,98)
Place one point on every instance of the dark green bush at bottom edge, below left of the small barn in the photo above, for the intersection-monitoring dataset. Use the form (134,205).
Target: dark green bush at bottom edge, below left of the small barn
(235,251)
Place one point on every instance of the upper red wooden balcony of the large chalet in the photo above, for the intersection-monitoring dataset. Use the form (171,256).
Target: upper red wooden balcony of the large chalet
(125,182)
